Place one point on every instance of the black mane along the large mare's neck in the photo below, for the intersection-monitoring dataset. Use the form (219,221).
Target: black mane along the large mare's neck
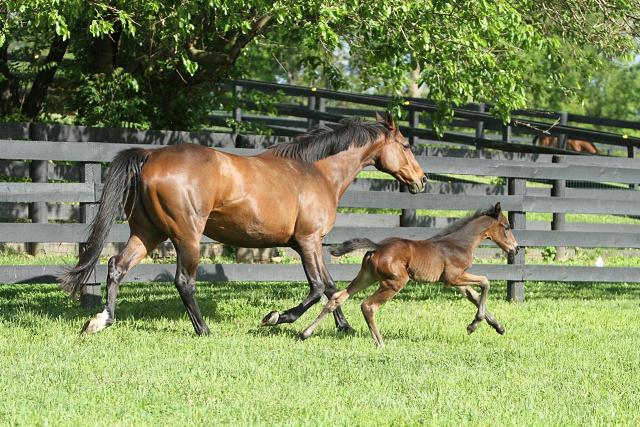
(323,142)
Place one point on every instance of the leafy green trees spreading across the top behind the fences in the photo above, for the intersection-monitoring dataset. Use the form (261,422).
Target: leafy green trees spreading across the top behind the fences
(159,58)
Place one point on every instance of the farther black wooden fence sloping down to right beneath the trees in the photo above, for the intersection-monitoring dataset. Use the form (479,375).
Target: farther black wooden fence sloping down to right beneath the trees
(479,128)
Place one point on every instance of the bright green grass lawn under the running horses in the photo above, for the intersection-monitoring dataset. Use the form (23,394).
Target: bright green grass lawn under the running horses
(570,356)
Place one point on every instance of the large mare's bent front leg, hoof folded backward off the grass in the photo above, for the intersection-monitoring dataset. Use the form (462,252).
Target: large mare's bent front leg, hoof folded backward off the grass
(311,253)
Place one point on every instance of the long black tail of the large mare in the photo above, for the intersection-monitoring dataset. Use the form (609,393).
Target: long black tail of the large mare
(123,173)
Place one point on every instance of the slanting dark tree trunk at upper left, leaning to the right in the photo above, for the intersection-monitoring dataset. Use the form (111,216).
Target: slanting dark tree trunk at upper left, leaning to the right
(38,93)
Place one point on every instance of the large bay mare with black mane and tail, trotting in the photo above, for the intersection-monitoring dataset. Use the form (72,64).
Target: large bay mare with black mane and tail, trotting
(286,196)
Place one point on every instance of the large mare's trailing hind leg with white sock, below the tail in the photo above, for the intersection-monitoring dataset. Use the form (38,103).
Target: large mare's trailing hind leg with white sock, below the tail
(135,250)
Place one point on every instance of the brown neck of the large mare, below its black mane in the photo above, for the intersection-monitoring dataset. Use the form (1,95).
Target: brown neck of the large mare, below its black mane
(341,169)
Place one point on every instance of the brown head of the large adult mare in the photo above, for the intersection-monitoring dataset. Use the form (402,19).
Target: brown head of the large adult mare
(396,158)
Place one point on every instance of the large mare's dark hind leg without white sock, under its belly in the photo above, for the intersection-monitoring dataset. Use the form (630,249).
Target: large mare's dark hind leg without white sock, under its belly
(188,259)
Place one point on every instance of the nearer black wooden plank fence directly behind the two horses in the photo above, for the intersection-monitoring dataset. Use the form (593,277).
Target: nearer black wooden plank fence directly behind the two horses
(518,199)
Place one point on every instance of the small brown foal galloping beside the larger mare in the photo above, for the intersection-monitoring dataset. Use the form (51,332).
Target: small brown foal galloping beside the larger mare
(444,257)
